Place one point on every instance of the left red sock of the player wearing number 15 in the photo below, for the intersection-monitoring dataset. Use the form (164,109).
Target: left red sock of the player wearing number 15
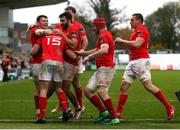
(42,106)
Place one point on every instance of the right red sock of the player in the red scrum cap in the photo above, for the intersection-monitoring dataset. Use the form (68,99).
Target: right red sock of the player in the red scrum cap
(109,105)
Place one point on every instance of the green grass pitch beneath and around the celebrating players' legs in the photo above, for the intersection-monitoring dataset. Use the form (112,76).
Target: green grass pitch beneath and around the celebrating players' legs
(142,110)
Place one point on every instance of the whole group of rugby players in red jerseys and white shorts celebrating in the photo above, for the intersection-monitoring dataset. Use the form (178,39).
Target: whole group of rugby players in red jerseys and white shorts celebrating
(57,57)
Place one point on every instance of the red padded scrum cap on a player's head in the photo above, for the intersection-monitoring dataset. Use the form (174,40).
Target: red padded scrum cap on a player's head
(100,23)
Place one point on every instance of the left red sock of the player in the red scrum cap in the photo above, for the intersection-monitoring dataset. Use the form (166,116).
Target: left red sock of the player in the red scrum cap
(97,103)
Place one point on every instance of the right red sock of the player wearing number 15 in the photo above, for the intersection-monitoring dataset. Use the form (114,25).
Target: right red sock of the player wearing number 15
(62,100)
